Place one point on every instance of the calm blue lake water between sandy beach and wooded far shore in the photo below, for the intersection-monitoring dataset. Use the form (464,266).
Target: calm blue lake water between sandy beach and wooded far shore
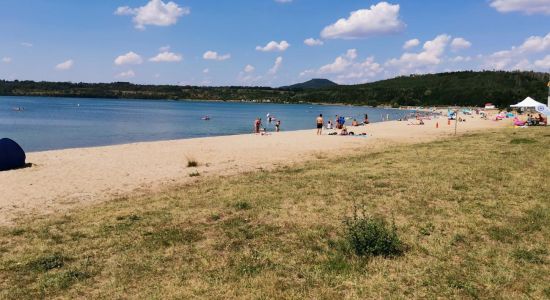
(60,123)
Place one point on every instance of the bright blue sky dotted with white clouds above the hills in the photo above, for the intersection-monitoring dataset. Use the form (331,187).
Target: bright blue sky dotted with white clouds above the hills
(267,42)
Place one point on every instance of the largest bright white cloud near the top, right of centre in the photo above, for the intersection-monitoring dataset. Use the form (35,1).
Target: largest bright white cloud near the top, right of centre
(382,18)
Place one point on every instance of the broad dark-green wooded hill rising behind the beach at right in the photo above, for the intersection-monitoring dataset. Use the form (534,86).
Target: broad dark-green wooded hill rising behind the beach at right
(467,88)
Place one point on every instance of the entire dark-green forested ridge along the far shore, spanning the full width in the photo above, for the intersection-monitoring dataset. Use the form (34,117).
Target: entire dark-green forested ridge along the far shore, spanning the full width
(457,88)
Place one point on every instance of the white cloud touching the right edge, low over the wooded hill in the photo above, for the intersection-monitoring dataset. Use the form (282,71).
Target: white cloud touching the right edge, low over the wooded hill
(519,57)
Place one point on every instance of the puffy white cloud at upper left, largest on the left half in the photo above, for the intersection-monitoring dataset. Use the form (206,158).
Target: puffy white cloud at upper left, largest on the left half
(155,12)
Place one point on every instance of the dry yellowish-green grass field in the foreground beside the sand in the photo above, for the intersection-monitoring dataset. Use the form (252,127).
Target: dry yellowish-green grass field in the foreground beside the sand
(472,212)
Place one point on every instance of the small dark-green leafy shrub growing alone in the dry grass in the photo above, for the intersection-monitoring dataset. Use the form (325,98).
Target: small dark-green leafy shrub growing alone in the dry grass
(369,236)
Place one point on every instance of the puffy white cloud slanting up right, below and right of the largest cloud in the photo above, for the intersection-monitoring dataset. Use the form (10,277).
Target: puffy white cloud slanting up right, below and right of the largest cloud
(431,55)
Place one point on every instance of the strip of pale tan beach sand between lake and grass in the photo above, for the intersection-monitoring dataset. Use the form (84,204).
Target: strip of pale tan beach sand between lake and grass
(66,179)
